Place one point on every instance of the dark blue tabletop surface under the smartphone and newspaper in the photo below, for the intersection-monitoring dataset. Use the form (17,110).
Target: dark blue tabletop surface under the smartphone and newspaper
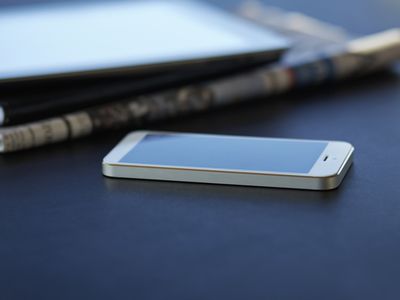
(66,232)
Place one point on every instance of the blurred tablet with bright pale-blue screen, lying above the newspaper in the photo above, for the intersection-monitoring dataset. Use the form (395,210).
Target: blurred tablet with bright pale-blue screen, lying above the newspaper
(123,37)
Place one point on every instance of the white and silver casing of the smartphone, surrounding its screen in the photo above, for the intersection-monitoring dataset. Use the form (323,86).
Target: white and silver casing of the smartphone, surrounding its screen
(325,174)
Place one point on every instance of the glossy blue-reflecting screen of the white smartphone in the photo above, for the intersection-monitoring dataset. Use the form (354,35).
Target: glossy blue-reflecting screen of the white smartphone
(226,153)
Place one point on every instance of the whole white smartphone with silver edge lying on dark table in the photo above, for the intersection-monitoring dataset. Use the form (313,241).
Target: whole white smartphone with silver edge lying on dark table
(238,160)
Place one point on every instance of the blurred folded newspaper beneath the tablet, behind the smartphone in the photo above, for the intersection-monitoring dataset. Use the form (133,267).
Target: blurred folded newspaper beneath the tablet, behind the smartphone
(357,57)
